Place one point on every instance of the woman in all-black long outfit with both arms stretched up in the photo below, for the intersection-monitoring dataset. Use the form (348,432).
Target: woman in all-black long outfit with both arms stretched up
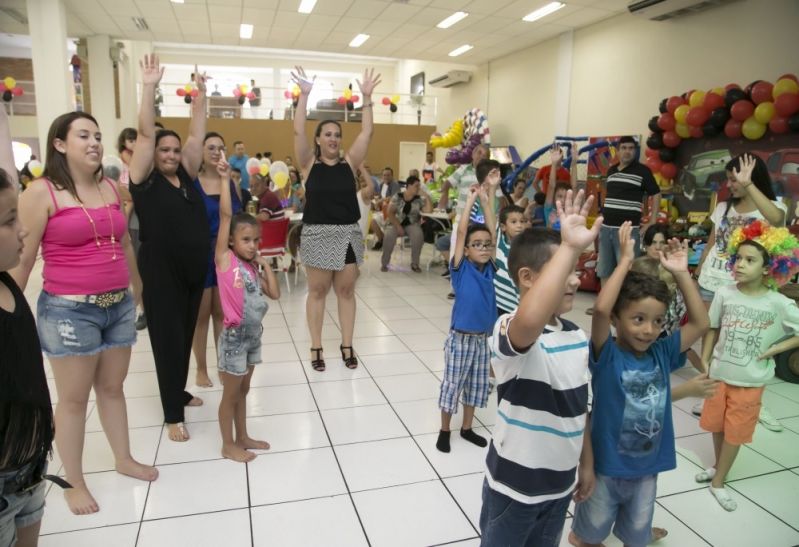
(175,238)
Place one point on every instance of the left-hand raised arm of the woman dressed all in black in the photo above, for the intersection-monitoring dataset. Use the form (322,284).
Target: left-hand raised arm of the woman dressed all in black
(141,162)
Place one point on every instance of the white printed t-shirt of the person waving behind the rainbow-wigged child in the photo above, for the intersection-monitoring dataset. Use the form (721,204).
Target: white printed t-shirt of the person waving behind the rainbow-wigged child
(714,272)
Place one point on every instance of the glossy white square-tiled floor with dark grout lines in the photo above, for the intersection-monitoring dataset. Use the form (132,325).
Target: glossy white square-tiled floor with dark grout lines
(353,460)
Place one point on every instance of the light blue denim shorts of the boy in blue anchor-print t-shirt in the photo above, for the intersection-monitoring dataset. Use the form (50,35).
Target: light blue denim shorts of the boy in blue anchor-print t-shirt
(629,503)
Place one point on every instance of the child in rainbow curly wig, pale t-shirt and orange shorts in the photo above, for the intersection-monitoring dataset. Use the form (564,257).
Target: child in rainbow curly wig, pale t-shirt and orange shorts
(750,323)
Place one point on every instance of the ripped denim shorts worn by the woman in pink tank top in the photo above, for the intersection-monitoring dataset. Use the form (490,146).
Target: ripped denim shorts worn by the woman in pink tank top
(69,328)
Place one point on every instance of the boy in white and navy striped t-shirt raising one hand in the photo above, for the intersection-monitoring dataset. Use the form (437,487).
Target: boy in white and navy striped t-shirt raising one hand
(541,448)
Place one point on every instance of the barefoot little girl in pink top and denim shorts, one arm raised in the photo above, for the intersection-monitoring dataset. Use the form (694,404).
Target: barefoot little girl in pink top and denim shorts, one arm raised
(241,290)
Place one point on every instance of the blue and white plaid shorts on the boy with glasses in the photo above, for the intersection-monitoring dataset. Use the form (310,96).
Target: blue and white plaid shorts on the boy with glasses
(467,362)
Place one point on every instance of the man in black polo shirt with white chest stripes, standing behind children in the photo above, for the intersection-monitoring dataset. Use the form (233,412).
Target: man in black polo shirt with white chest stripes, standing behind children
(629,184)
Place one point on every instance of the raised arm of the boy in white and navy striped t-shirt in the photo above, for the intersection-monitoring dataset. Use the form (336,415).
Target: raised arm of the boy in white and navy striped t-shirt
(545,292)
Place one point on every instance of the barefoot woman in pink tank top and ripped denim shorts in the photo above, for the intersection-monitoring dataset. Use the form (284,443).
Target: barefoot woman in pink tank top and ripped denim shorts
(85,313)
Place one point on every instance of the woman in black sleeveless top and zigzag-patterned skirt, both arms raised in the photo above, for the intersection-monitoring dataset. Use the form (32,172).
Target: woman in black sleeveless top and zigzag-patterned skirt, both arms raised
(332,244)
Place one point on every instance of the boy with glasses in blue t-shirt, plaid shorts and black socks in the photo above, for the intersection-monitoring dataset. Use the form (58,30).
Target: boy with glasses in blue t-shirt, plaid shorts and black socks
(466,352)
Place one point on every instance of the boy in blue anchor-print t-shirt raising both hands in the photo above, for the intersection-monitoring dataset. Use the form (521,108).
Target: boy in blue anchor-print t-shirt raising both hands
(631,426)
